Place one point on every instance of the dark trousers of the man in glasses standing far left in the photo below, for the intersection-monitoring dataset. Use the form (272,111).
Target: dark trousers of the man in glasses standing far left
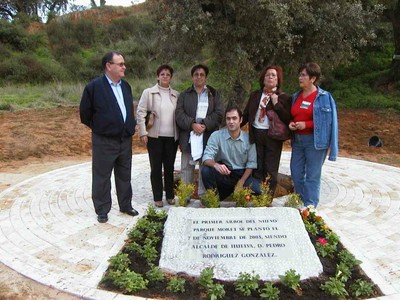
(108,154)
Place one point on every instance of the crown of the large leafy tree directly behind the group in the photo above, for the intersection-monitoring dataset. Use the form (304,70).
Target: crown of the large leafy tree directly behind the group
(246,35)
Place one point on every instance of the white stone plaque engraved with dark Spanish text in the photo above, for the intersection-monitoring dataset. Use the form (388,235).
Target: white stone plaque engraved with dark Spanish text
(268,241)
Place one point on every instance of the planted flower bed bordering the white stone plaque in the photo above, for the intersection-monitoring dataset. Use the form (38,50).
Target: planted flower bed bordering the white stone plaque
(135,271)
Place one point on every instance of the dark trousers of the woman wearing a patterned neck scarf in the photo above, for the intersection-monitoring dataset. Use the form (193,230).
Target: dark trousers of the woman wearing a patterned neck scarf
(268,157)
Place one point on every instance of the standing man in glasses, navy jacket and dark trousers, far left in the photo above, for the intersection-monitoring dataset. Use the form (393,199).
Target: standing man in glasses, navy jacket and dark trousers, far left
(107,108)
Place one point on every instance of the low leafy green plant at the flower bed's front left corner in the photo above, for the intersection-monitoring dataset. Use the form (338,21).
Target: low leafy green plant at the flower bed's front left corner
(128,280)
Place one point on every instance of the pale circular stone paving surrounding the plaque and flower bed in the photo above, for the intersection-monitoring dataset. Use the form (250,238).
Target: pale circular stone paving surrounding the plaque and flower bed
(49,231)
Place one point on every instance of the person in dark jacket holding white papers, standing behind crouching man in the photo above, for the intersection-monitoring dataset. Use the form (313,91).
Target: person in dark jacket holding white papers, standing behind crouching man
(199,112)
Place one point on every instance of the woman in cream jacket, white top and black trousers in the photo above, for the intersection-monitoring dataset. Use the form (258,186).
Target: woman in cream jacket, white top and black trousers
(161,138)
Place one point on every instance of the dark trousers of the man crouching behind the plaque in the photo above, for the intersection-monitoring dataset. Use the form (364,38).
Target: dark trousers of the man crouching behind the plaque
(225,184)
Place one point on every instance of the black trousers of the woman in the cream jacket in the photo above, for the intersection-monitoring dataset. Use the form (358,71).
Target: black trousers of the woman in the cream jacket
(162,153)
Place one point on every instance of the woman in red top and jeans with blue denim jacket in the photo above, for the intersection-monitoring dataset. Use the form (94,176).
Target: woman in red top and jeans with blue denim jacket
(315,130)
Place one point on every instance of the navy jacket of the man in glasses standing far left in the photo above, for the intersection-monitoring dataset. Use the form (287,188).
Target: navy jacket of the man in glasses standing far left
(100,111)
